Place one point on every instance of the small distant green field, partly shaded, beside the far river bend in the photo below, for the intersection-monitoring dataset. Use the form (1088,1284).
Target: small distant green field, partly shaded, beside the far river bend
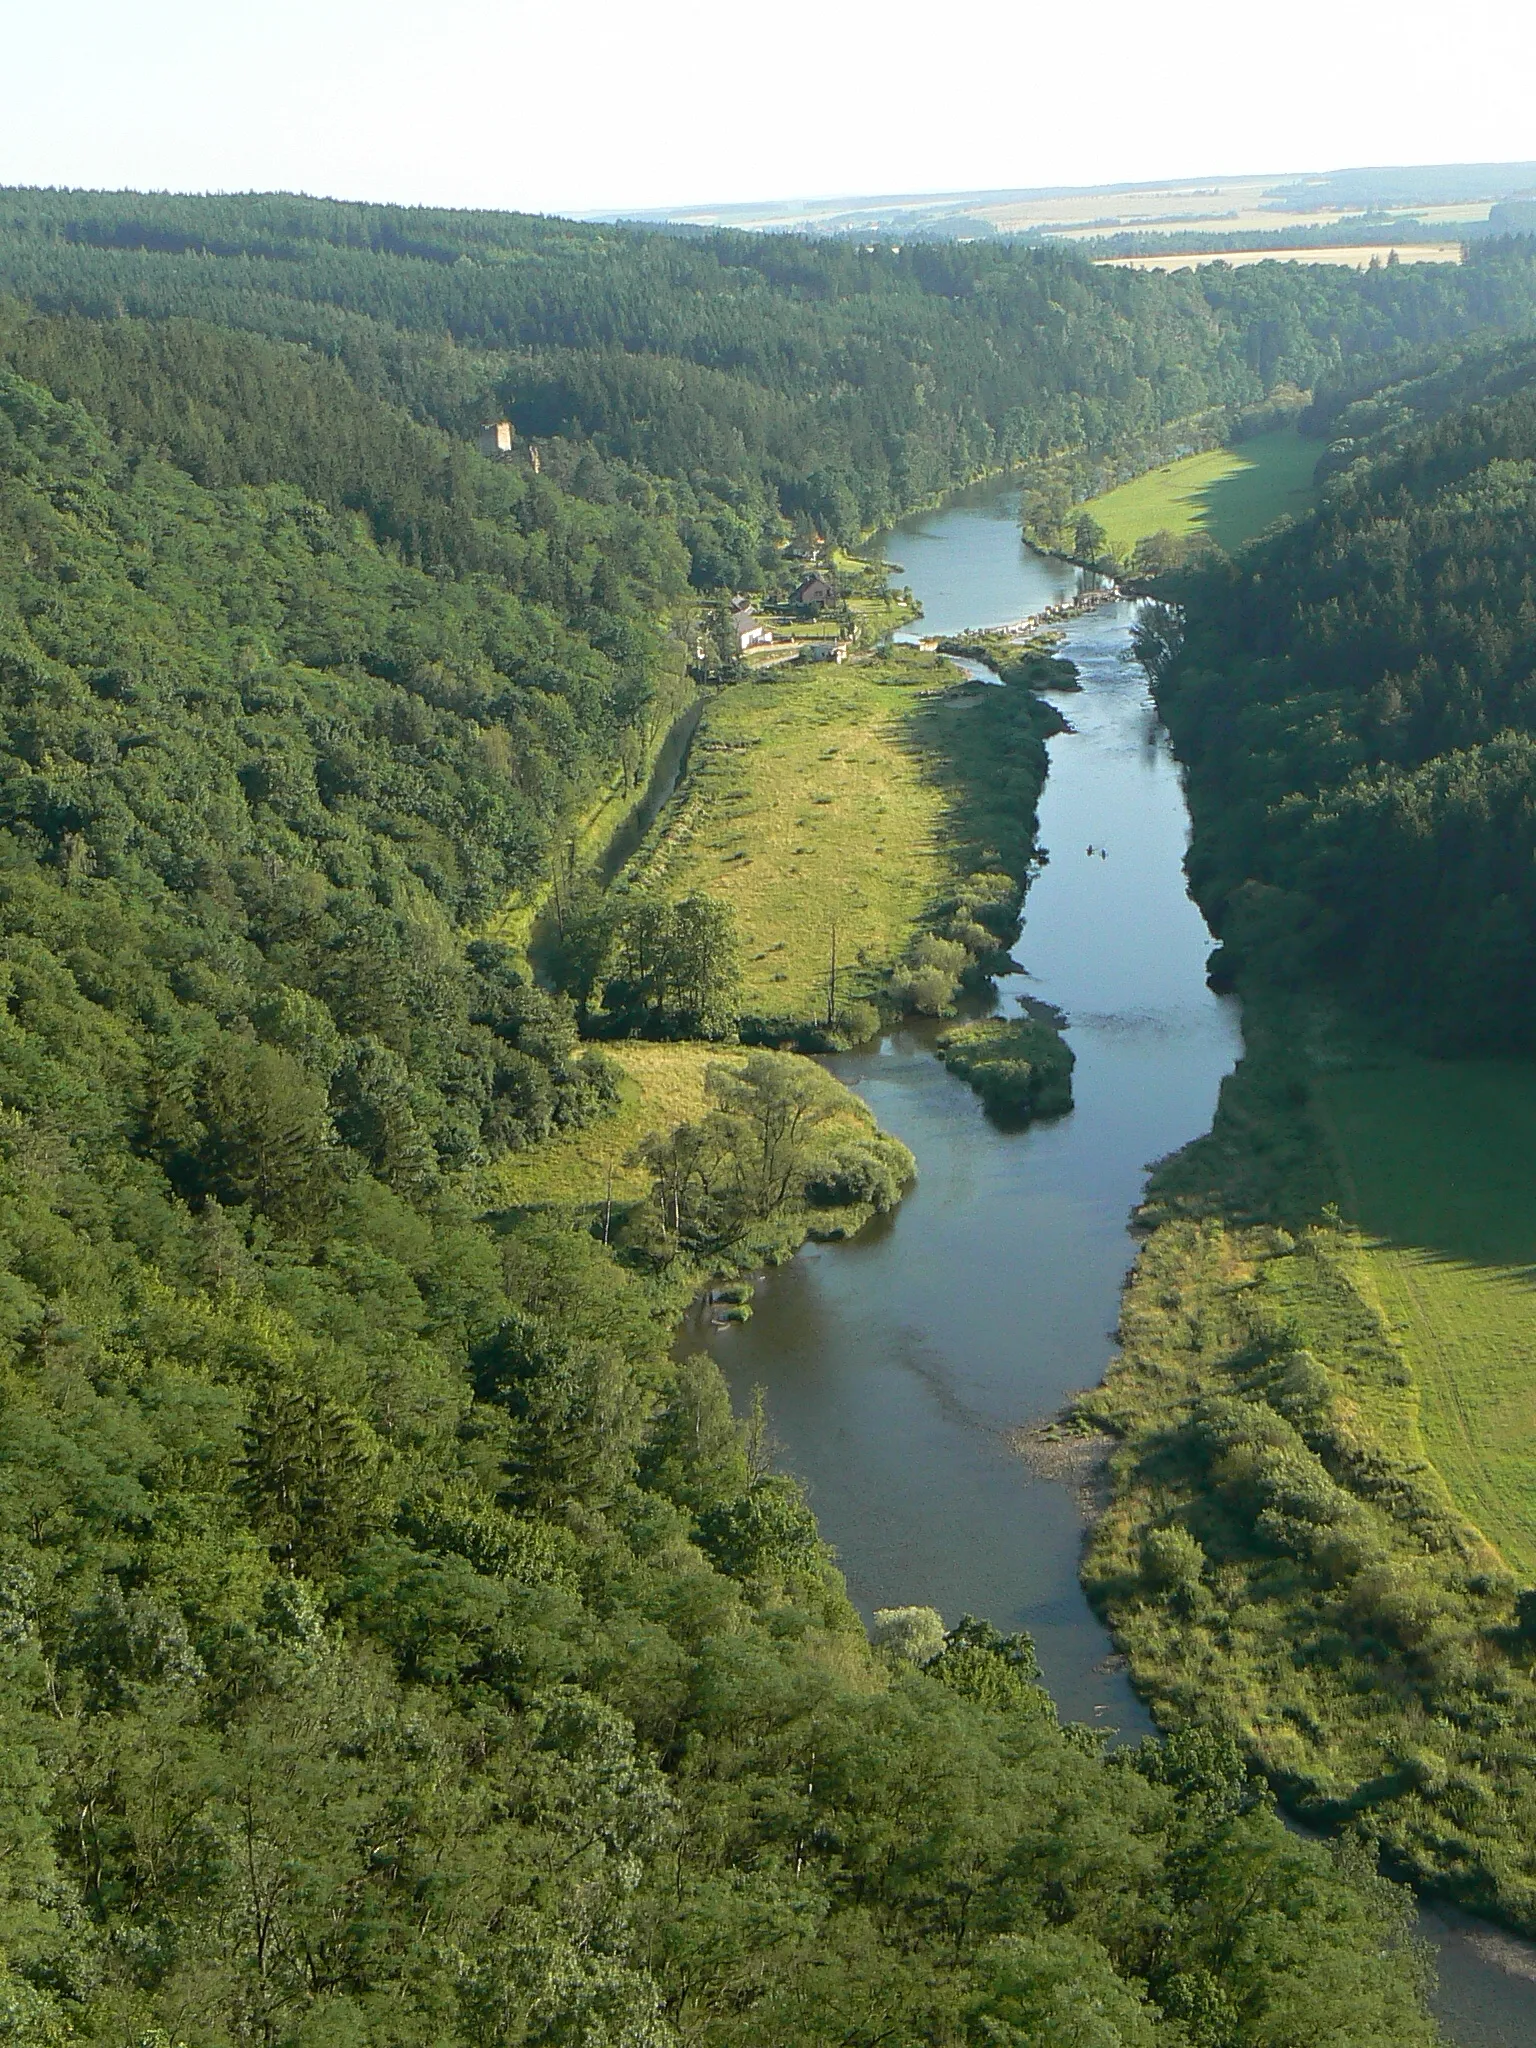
(1232,495)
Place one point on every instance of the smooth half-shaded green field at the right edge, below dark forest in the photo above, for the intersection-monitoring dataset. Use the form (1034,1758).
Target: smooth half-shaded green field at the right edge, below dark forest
(1439,1166)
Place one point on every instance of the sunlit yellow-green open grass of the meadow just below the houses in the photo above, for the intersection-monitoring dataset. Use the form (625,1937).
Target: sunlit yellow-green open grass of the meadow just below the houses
(814,798)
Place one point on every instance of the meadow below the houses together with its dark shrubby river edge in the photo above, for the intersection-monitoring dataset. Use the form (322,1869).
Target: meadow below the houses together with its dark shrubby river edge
(869,830)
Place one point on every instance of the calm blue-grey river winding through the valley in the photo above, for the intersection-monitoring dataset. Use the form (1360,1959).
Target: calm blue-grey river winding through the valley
(896,1369)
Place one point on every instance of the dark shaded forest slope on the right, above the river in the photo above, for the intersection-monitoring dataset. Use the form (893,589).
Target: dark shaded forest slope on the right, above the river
(1357,701)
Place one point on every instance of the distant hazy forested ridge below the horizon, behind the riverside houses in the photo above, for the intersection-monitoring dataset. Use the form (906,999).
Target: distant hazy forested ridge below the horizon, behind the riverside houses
(765,378)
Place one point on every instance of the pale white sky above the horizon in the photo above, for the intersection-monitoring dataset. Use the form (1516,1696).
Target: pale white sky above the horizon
(581,105)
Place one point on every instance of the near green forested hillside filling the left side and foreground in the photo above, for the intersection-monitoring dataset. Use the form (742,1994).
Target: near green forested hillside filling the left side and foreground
(400,1646)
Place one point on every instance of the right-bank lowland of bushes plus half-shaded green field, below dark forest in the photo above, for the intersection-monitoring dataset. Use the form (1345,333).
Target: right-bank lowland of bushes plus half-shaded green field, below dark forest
(1318,1525)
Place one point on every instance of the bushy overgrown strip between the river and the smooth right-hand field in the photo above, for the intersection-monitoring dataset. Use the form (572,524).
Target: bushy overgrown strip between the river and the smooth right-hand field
(1279,1558)
